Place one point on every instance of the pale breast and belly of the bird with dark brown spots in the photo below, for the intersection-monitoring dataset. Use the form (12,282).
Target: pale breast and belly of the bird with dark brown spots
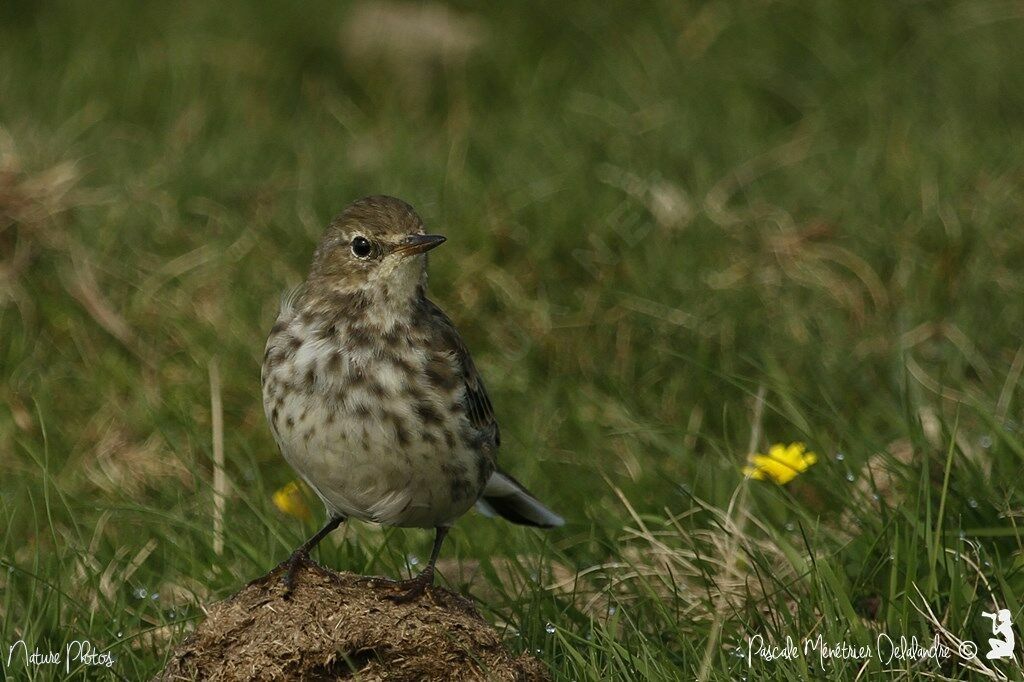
(365,422)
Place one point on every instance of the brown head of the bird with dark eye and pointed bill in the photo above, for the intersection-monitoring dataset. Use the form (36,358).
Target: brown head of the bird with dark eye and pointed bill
(376,246)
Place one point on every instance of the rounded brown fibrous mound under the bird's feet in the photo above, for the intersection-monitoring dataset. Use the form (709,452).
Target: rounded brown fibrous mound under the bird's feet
(337,626)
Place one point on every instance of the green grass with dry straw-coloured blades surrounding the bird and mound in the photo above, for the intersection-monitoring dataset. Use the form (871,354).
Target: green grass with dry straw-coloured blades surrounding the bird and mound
(656,215)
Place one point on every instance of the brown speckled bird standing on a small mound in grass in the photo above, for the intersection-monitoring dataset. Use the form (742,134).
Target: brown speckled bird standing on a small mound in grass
(373,397)
